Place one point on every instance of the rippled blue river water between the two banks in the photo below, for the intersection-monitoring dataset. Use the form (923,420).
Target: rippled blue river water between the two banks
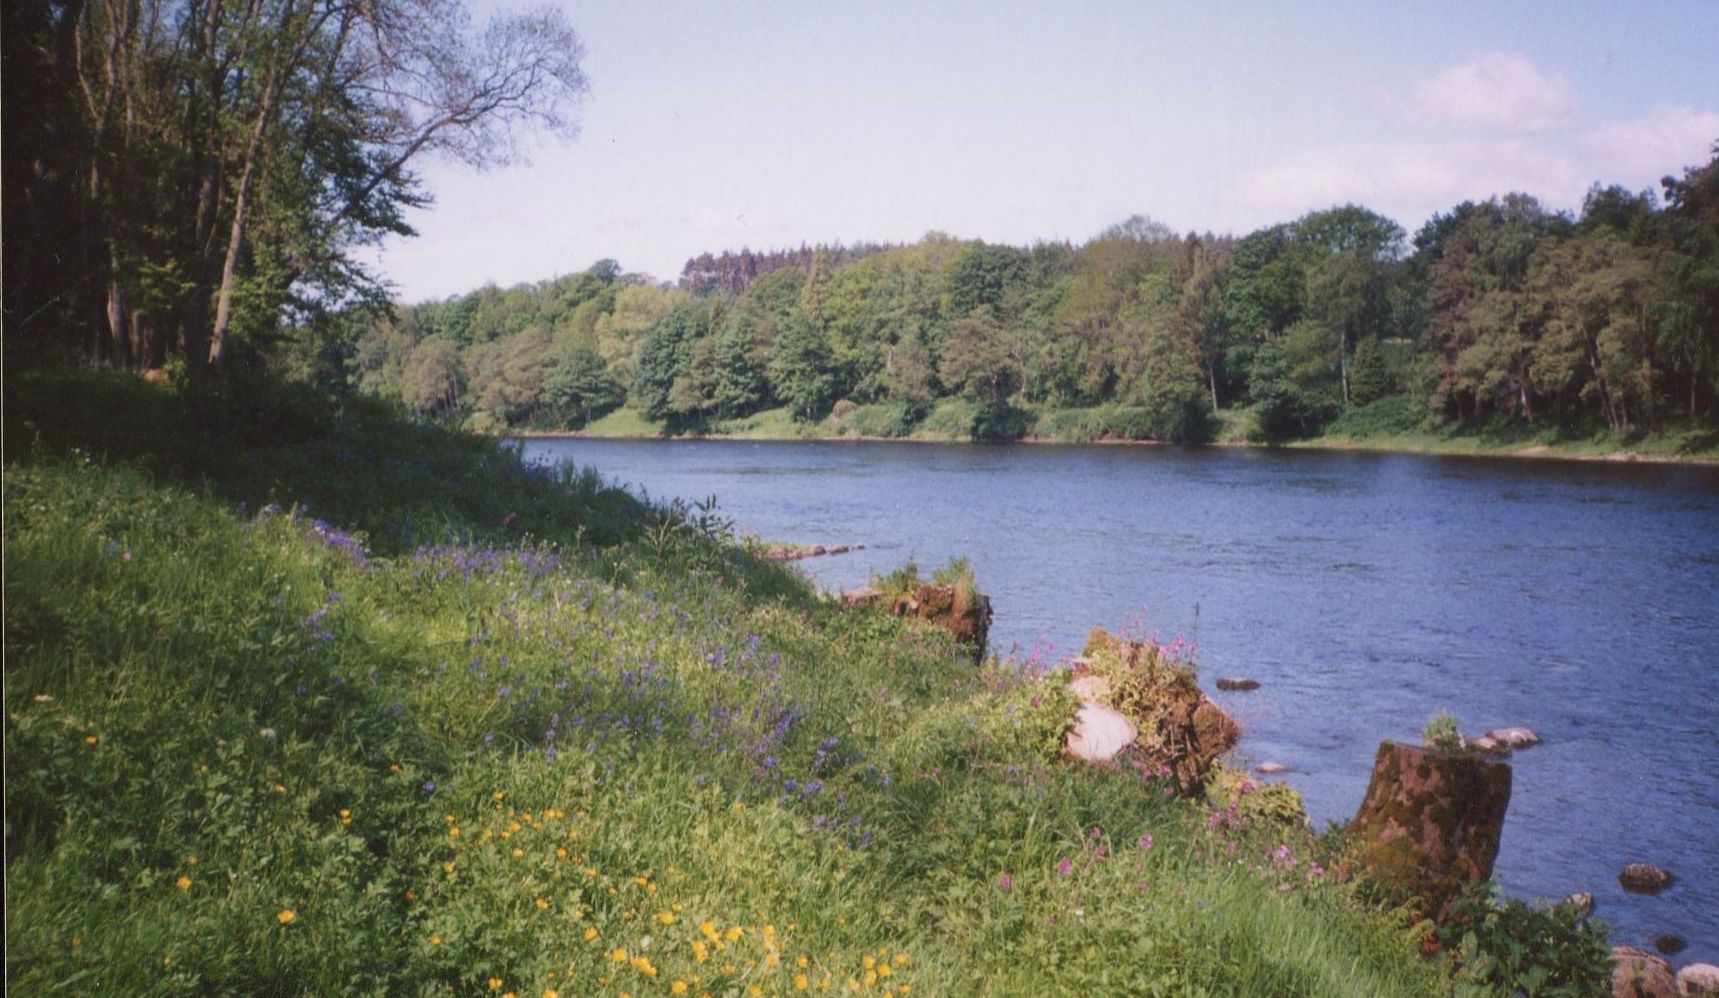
(1364,593)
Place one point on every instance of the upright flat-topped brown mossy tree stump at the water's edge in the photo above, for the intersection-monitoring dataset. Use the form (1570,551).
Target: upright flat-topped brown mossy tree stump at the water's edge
(1431,822)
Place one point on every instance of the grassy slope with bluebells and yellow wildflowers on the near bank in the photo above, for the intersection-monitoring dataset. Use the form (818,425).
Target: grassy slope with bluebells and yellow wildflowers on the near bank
(582,746)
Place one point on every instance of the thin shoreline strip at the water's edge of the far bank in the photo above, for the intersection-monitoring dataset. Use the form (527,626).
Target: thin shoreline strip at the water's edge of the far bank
(1527,453)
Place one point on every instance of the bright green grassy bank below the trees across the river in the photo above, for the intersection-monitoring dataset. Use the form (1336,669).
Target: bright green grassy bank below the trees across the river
(1388,427)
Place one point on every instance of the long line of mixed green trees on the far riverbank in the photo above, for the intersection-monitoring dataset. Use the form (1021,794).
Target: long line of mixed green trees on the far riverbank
(1493,312)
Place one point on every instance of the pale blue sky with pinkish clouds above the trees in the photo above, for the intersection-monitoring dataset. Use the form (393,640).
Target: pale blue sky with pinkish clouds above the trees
(725,125)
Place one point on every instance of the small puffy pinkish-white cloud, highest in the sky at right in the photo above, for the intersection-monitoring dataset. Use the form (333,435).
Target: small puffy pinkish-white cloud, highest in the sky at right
(1498,92)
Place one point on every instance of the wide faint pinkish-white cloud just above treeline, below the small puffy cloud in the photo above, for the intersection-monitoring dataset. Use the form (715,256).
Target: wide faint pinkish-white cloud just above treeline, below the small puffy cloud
(1410,181)
